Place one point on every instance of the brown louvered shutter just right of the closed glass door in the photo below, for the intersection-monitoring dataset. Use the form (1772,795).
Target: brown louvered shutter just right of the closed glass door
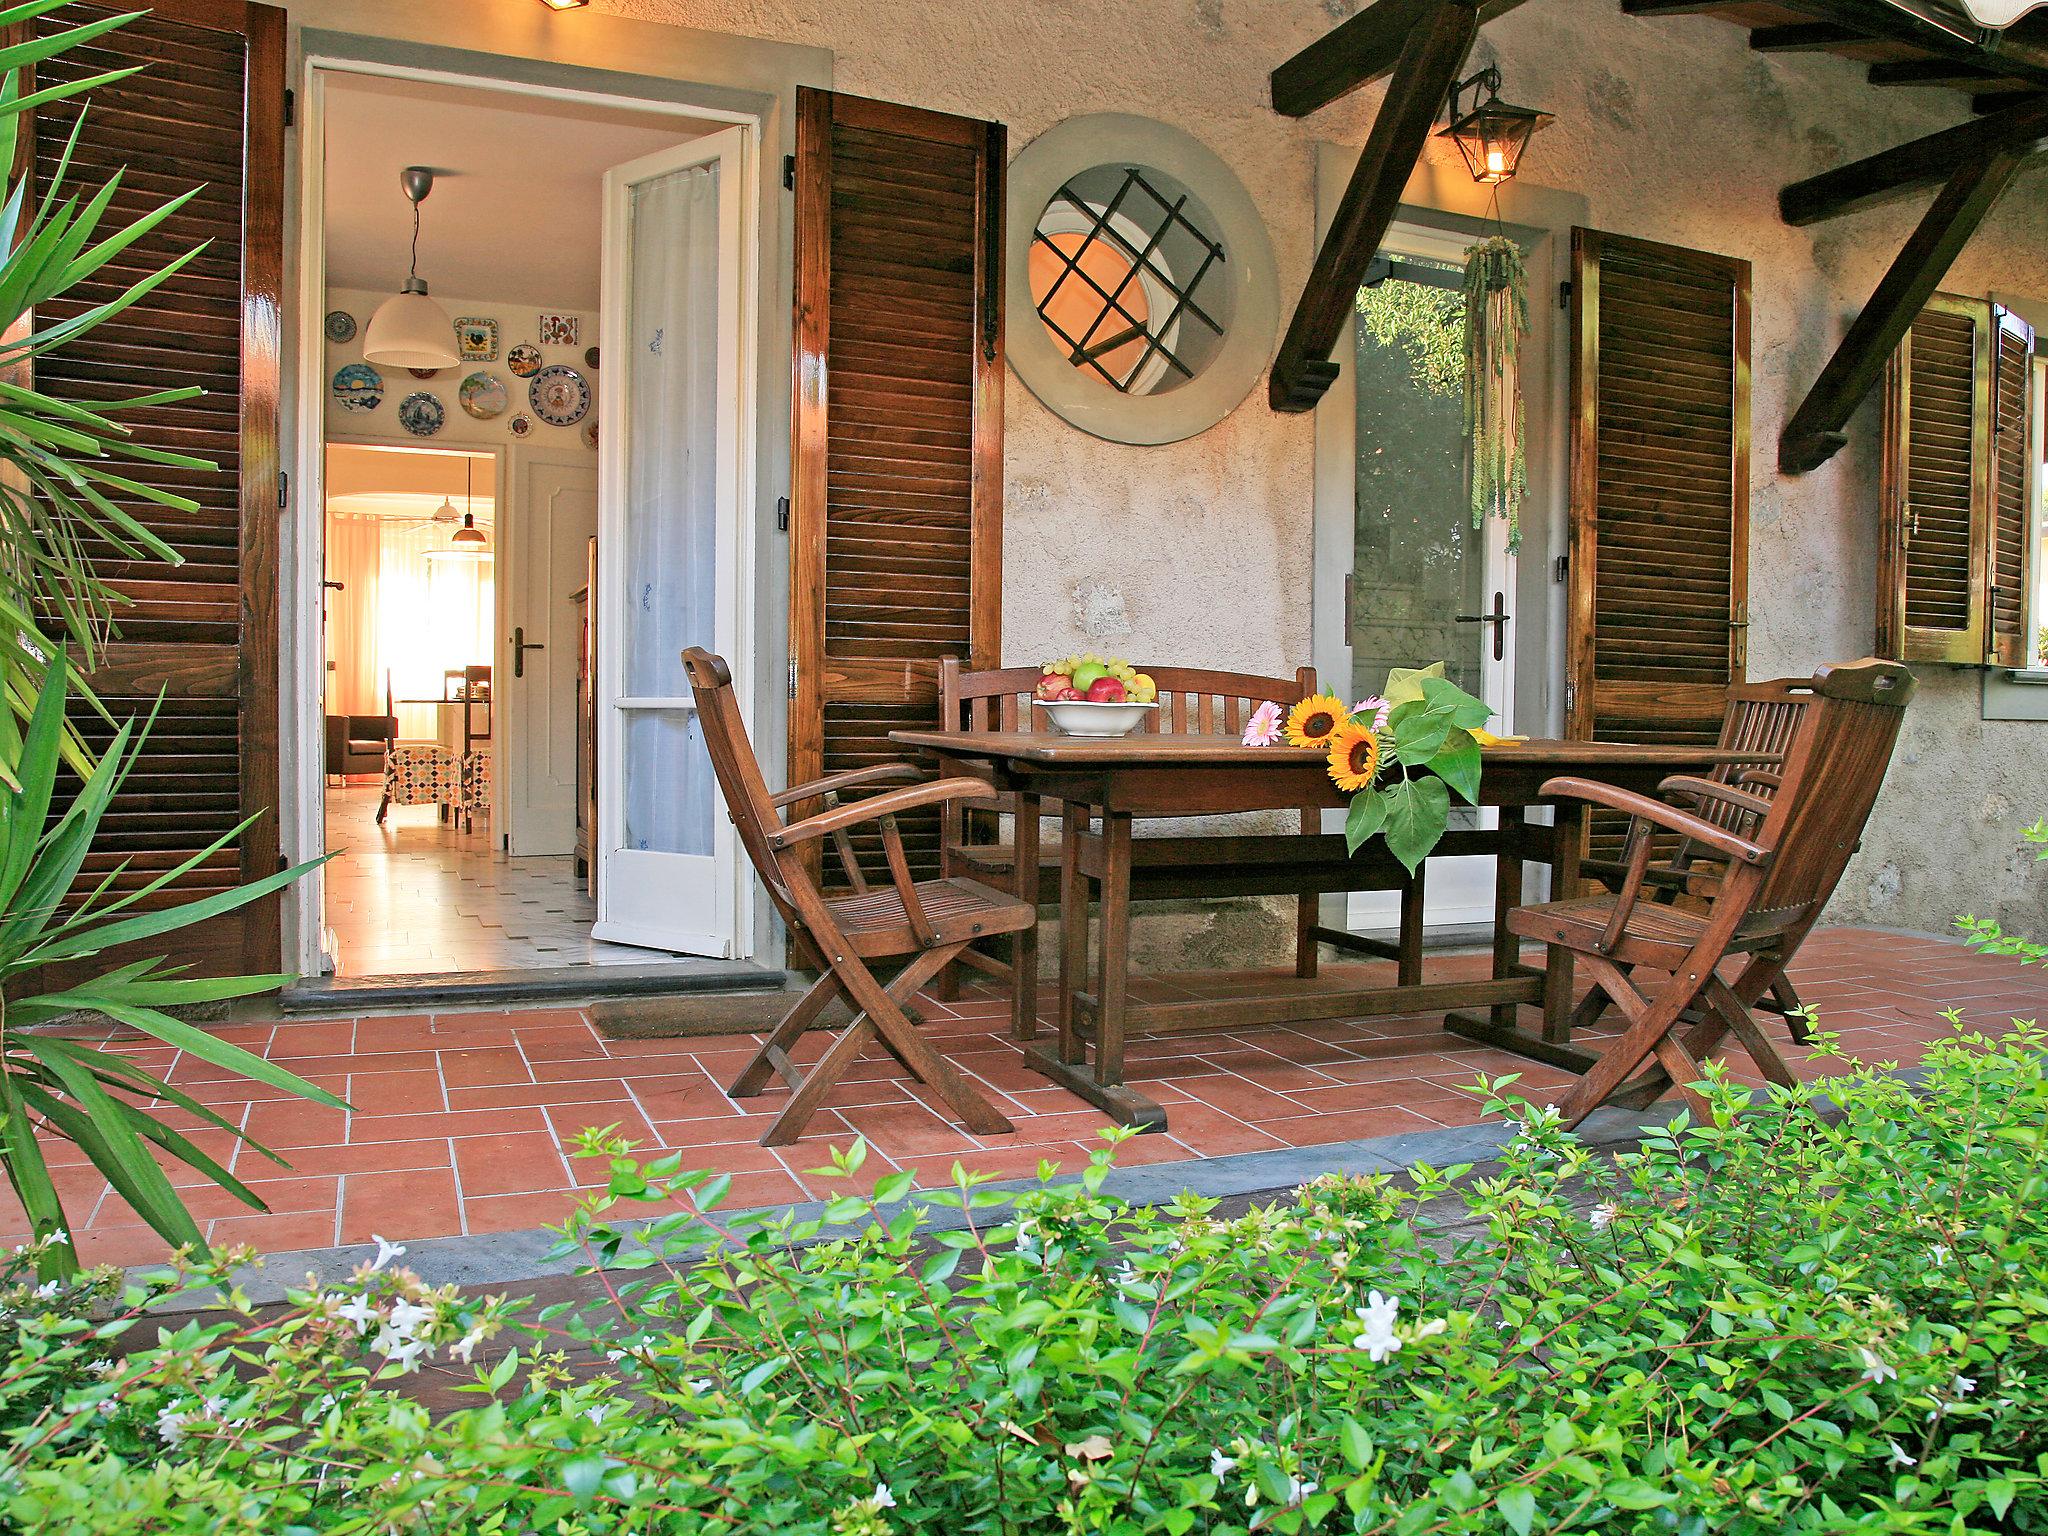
(1660,490)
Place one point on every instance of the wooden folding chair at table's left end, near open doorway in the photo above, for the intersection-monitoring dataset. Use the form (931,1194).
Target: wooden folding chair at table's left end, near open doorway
(923,925)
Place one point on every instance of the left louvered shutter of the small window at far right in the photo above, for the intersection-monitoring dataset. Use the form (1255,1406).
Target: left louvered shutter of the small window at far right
(1932,572)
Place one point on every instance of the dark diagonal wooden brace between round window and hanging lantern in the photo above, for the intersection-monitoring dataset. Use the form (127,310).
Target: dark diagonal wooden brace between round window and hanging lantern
(1426,69)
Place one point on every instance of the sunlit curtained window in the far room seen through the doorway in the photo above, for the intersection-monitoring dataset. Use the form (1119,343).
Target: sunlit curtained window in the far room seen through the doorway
(409,617)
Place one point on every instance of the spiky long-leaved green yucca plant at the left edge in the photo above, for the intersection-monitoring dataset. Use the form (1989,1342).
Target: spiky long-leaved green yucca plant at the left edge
(62,470)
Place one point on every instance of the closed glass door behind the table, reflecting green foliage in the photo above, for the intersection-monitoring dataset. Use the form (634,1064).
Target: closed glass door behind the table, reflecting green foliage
(1422,583)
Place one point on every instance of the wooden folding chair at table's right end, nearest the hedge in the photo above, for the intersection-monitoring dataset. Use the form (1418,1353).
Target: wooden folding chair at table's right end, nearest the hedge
(1660,964)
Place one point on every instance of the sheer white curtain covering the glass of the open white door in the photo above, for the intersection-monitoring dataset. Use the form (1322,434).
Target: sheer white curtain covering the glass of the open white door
(671,499)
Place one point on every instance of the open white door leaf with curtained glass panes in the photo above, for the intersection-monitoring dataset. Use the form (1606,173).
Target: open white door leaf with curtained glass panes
(671,484)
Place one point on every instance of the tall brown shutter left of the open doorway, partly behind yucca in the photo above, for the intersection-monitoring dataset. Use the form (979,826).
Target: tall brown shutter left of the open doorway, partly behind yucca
(210,108)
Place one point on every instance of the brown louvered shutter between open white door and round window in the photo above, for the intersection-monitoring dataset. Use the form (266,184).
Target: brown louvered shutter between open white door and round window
(896,521)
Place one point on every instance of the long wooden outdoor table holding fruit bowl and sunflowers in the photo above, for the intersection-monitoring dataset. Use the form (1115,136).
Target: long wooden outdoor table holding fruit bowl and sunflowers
(1111,781)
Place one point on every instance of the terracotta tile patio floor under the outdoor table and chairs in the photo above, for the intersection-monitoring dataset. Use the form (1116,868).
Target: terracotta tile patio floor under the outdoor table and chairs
(460,1119)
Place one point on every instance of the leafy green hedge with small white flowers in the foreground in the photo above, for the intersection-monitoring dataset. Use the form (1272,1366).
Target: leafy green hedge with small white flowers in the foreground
(1775,1322)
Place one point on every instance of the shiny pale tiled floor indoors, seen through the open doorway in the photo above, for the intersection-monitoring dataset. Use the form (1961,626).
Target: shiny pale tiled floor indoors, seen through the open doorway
(421,896)
